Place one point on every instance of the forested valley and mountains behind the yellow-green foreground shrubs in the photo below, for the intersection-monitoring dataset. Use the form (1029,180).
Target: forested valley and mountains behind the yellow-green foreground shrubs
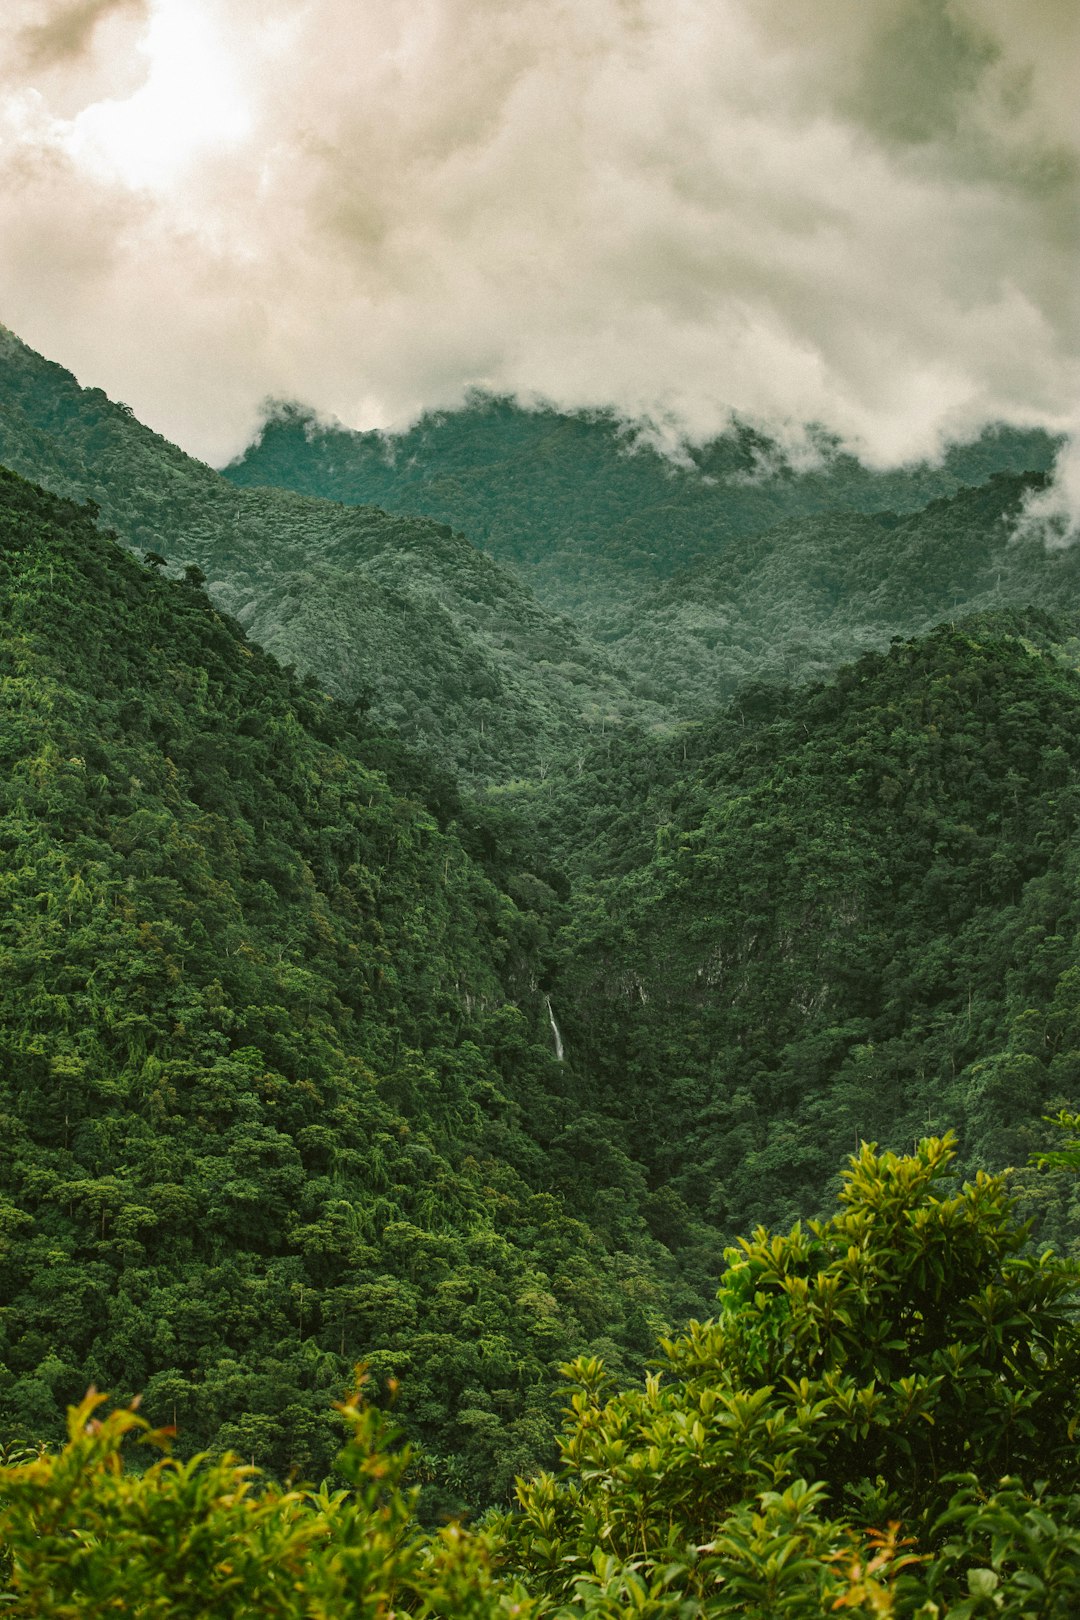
(435,958)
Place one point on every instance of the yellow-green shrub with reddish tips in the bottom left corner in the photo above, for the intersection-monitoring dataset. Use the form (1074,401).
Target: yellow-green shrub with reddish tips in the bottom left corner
(83,1535)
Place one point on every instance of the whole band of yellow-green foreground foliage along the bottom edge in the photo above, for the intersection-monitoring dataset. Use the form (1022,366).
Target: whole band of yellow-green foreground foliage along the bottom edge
(833,1441)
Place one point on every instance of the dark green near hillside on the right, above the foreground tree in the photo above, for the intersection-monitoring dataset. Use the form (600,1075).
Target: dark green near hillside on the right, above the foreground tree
(836,913)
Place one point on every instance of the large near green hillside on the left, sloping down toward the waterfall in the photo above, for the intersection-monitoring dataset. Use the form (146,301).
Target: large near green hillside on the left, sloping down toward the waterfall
(276,1075)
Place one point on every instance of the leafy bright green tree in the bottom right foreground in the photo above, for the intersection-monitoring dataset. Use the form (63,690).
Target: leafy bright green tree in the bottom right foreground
(865,1363)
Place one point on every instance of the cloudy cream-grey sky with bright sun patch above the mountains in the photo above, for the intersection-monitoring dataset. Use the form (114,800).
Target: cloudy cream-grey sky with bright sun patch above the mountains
(836,213)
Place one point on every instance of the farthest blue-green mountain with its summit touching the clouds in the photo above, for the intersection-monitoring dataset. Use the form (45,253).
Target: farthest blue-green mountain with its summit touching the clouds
(590,514)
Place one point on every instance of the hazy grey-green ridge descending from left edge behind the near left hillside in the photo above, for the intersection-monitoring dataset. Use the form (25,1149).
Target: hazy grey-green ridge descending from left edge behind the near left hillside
(394,612)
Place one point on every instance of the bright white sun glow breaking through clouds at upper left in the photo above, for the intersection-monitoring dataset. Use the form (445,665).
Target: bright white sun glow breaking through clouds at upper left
(190,103)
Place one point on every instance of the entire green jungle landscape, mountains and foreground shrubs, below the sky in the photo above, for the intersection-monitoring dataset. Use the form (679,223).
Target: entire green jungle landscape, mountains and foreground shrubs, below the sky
(370,1015)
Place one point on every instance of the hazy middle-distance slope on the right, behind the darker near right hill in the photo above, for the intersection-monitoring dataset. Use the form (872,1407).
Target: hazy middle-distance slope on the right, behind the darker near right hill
(802,599)
